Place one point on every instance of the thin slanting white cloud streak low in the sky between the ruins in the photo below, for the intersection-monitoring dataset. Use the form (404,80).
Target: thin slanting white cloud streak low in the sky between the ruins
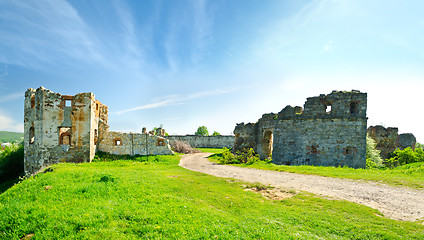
(175,100)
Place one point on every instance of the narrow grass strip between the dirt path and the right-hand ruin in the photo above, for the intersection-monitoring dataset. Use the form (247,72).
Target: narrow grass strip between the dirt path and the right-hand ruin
(410,175)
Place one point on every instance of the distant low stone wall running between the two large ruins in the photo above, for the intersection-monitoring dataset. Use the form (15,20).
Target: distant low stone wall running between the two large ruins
(196,141)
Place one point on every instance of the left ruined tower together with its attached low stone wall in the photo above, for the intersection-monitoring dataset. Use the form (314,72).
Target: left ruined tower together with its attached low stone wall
(64,128)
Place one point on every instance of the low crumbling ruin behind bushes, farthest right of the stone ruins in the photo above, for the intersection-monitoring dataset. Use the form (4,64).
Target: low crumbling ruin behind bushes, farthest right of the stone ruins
(388,140)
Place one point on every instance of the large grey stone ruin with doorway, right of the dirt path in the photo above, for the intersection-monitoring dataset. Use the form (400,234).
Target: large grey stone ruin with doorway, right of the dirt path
(330,131)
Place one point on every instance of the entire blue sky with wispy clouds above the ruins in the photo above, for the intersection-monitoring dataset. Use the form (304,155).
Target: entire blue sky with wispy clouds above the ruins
(184,64)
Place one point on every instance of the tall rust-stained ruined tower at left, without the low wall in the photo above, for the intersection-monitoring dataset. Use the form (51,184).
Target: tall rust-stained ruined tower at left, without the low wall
(57,128)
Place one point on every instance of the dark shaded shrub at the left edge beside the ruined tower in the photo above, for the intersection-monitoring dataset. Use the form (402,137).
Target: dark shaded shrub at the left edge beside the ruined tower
(11,162)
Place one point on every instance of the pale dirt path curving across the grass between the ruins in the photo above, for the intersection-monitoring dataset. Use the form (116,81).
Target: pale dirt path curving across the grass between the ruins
(394,202)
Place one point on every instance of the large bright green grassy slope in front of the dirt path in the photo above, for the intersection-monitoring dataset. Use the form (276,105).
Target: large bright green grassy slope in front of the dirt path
(159,200)
